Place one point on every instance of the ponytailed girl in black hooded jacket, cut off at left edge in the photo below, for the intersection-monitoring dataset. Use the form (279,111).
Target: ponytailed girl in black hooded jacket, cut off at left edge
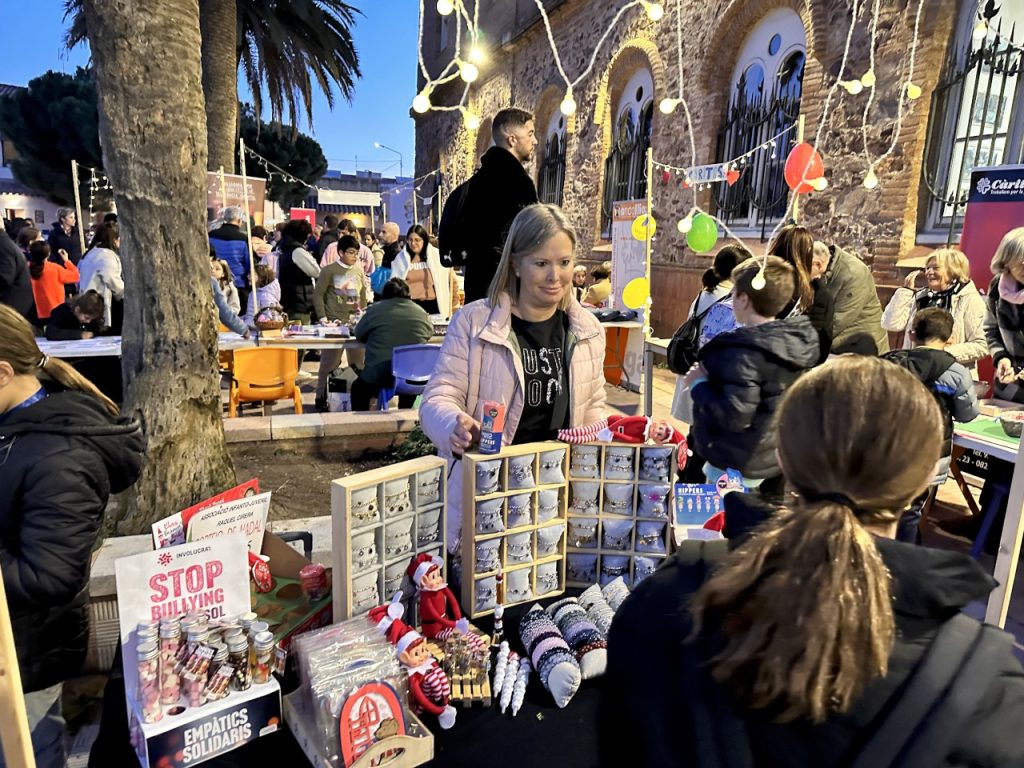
(64,451)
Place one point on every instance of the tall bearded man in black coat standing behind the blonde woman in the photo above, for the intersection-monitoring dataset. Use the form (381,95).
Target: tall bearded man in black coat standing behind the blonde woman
(497,193)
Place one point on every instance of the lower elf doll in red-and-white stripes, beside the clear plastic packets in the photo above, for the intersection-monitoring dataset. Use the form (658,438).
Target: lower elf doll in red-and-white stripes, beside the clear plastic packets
(429,686)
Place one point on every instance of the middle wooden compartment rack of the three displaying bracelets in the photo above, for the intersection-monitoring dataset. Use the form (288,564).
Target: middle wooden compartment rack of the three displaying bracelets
(473,535)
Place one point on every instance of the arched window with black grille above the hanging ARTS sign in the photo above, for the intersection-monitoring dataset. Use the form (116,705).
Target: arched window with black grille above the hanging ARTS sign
(764,100)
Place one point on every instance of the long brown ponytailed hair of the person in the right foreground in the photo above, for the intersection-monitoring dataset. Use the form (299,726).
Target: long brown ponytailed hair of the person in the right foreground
(805,604)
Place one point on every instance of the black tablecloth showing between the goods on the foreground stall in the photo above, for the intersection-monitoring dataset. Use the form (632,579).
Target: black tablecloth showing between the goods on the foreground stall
(482,738)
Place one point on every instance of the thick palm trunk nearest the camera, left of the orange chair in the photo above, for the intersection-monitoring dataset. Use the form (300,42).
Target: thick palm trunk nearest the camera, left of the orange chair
(153,134)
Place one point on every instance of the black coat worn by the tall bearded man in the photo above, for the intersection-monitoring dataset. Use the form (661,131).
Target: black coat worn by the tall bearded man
(497,193)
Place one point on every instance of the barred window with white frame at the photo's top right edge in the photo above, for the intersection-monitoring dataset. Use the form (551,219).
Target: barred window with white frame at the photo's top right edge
(976,116)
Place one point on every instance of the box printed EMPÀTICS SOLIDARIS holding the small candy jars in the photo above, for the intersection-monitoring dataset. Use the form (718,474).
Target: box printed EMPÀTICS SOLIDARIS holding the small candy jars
(199,735)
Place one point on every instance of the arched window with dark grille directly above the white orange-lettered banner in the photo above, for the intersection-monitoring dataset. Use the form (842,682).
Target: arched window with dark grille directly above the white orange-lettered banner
(625,166)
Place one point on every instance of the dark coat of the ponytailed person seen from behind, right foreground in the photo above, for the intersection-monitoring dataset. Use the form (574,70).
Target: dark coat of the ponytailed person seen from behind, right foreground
(660,693)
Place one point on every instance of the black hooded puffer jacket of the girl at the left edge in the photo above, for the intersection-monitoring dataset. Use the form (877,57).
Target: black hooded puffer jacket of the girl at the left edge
(61,459)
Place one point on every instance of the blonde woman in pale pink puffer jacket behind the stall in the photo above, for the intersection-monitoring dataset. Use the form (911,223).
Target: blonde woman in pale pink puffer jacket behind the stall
(529,346)
